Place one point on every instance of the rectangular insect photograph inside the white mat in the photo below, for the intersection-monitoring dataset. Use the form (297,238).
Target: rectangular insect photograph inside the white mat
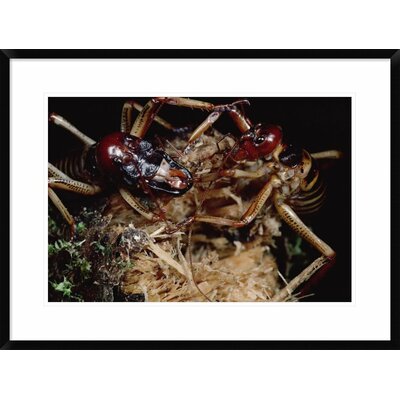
(199,199)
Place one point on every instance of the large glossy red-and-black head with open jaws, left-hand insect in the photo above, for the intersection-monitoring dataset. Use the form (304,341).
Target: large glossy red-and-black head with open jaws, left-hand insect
(131,161)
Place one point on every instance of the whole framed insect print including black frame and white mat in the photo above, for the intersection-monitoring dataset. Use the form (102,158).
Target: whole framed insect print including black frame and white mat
(200,199)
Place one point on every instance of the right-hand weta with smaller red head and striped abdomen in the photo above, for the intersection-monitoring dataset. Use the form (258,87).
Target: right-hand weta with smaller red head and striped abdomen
(293,182)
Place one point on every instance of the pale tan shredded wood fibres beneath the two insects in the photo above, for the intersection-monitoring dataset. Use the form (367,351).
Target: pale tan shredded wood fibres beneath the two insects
(220,263)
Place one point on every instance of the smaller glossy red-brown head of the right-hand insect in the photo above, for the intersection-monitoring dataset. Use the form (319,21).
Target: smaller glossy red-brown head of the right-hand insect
(260,141)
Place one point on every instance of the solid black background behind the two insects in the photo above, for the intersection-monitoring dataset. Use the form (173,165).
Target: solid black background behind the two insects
(314,123)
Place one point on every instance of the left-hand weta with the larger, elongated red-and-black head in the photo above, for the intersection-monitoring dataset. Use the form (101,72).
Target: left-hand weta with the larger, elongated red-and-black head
(124,159)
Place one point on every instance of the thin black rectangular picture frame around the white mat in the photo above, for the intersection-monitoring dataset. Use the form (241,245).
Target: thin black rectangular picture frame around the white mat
(7,55)
